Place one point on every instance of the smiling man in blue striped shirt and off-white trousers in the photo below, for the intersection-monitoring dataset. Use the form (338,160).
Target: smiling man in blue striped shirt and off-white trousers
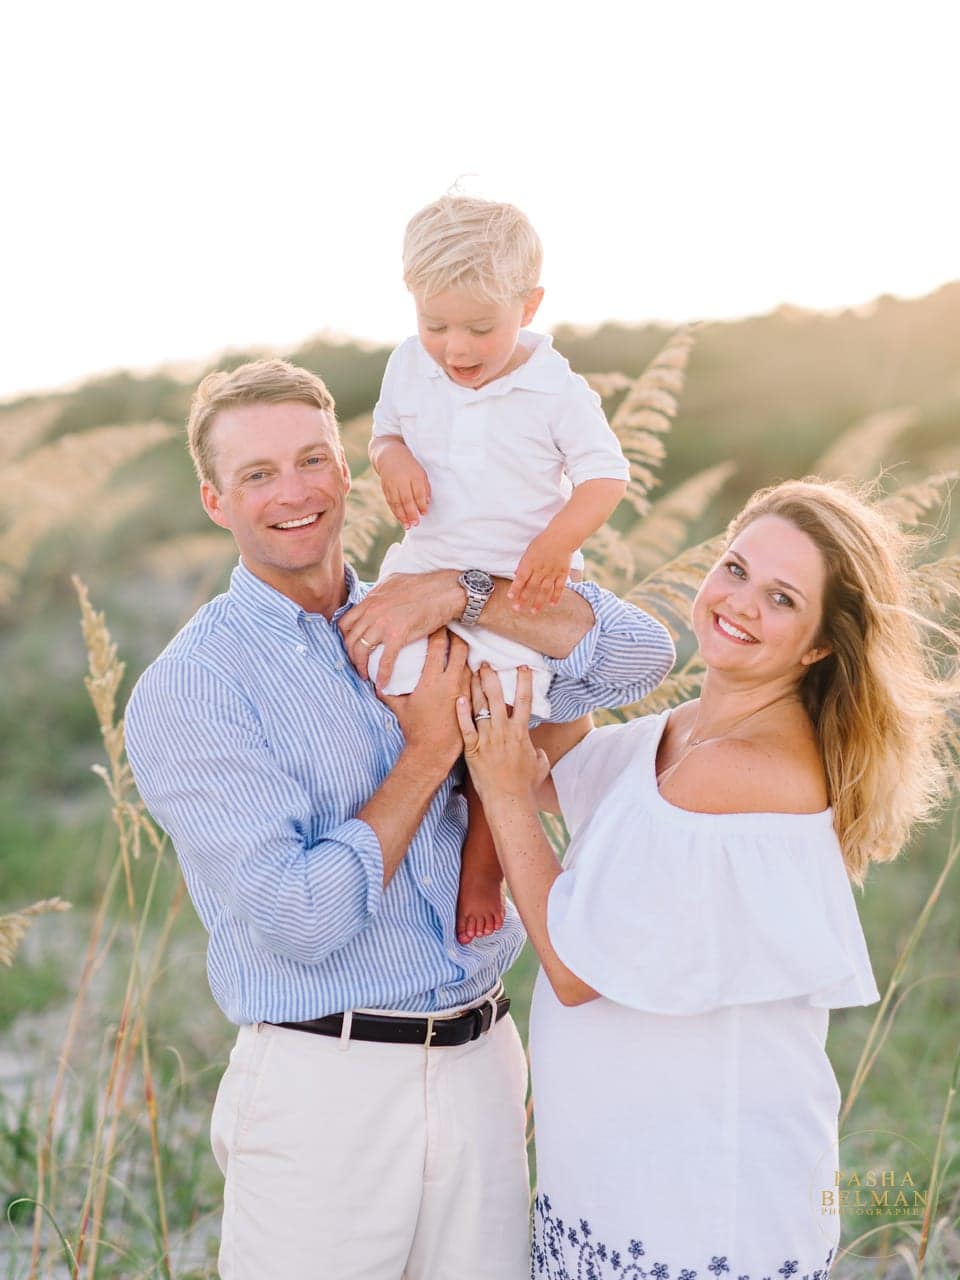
(371,1122)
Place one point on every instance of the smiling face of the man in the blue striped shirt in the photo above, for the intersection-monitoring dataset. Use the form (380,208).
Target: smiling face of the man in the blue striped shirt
(282,488)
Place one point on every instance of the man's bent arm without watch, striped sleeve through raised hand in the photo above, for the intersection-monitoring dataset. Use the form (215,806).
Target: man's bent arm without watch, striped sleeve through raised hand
(240,824)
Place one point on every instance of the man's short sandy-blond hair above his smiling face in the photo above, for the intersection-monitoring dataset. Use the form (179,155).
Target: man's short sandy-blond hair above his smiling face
(260,382)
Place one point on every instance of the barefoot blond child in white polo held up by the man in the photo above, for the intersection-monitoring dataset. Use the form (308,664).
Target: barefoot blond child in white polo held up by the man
(492,454)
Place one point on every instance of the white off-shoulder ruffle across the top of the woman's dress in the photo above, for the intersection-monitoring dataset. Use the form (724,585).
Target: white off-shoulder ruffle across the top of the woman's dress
(673,912)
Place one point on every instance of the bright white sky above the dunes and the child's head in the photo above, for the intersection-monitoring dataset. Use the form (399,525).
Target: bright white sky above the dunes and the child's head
(188,177)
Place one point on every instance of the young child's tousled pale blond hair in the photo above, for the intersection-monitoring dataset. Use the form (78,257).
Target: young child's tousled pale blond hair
(463,243)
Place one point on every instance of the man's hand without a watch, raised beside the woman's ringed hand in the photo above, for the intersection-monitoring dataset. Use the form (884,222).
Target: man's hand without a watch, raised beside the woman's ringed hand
(428,717)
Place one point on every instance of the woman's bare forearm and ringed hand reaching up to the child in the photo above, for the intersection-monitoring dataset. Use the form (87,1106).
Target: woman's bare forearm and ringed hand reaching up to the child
(508,771)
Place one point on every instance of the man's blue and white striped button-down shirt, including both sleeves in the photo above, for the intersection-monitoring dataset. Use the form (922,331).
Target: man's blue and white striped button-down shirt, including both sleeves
(255,744)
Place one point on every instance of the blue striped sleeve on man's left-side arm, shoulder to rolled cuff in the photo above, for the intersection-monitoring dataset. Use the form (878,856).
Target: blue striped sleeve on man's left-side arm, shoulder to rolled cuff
(243,826)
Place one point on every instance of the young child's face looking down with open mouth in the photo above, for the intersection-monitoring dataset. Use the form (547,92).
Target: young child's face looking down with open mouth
(473,340)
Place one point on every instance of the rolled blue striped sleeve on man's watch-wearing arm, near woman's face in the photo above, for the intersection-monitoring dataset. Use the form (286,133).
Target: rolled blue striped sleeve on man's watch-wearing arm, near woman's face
(621,659)
